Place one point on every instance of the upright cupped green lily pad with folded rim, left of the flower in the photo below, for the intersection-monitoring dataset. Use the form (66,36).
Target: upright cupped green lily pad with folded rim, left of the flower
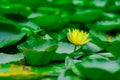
(38,51)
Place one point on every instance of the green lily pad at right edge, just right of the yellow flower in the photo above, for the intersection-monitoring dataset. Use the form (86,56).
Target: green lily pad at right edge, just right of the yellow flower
(101,39)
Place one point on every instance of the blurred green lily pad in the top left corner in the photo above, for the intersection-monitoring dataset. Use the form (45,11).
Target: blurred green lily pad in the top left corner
(15,9)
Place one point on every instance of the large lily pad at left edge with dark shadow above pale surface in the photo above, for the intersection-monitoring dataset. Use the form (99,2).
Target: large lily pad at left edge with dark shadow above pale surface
(9,33)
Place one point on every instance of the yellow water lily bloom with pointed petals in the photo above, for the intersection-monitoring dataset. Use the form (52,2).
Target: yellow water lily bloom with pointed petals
(78,37)
